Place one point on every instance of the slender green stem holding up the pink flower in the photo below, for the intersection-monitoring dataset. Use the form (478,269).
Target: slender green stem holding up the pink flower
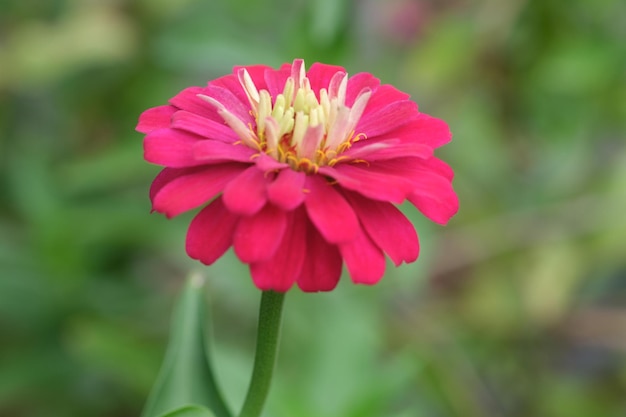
(265,357)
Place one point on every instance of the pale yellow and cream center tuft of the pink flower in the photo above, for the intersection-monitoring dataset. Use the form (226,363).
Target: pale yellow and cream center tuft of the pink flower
(297,126)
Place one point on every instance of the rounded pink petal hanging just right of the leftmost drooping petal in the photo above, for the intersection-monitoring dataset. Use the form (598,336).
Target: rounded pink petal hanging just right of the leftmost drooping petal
(257,237)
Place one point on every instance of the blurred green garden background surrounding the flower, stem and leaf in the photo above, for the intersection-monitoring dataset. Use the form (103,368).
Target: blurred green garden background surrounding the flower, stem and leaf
(516,308)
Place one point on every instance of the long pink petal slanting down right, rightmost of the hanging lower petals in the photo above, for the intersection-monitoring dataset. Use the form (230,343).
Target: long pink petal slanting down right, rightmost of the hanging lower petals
(390,230)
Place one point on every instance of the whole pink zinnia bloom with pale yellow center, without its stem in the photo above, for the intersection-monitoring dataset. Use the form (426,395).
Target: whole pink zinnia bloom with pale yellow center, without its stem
(300,170)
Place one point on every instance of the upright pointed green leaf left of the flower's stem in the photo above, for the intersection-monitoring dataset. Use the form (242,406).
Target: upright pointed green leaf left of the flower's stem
(186,376)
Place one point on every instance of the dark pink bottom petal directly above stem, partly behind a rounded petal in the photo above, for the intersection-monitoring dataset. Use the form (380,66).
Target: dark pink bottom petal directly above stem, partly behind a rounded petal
(281,271)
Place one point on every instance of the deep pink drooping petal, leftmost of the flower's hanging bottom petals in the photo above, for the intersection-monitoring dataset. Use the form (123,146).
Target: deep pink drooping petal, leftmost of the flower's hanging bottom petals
(210,233)
